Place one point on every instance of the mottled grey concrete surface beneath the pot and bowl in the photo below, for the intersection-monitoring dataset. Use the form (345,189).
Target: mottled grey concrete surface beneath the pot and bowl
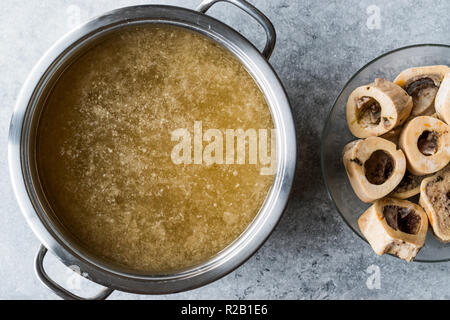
(312,254)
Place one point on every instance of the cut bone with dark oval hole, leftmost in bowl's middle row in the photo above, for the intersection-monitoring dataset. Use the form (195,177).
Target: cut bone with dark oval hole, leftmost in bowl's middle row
(374,166)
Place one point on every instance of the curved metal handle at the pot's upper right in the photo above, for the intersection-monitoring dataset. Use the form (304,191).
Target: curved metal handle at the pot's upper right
(255,14)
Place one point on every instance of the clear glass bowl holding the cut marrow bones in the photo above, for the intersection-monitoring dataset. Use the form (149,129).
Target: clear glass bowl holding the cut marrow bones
(336,135)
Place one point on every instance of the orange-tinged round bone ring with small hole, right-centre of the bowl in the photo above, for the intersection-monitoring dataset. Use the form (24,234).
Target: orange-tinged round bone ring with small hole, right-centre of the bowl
(425,142)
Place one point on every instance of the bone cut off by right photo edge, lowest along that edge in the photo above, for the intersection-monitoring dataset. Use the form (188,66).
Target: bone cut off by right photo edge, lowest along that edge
(435,199)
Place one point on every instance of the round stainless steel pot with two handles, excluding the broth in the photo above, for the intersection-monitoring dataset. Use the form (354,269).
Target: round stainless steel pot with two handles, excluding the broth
(22,149)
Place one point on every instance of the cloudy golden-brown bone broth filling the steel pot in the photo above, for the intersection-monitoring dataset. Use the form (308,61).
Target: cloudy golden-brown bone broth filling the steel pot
(105,149)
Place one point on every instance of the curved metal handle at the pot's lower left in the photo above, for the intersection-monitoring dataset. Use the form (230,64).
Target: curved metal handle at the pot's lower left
(56,288)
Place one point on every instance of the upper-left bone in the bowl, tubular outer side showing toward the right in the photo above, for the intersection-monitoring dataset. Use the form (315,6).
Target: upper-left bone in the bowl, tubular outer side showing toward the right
(374,109)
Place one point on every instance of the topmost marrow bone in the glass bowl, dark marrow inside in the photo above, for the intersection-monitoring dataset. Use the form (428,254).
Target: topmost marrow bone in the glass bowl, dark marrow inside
(422,84)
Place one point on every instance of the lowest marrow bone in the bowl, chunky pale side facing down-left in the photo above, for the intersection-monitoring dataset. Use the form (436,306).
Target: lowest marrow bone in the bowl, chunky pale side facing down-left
(395,226)
